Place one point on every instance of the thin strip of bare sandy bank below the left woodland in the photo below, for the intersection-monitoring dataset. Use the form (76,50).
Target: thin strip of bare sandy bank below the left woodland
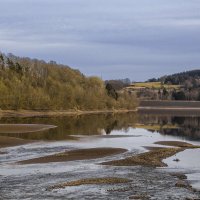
(49,113)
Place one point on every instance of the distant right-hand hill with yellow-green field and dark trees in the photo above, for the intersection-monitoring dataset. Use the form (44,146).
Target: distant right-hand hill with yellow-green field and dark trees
(179,86)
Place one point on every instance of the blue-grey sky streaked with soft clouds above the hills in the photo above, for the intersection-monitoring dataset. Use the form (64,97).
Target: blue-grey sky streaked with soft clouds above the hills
(138,39)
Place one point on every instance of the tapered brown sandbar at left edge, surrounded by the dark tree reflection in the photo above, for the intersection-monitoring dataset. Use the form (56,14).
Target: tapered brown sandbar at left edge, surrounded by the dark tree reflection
(24,128)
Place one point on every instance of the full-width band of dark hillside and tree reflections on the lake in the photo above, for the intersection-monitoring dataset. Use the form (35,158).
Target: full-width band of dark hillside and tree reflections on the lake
(102,124)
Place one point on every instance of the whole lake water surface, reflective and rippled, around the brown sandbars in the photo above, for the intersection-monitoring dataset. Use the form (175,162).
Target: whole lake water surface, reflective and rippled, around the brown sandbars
(131,131)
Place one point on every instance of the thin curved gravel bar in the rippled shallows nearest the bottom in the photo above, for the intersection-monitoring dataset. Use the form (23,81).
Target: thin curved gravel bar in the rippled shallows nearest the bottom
(106,180)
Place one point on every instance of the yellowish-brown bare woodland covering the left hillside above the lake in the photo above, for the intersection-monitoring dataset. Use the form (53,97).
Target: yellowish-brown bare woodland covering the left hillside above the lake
(38,85)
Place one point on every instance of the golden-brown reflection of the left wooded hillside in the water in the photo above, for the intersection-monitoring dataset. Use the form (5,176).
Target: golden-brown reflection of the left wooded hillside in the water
(75,125)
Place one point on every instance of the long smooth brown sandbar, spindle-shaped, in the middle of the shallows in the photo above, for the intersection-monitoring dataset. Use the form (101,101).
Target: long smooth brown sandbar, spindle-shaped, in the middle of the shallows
(80,154)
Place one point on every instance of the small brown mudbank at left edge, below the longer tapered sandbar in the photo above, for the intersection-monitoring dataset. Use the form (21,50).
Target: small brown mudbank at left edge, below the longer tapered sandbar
(10,141)
